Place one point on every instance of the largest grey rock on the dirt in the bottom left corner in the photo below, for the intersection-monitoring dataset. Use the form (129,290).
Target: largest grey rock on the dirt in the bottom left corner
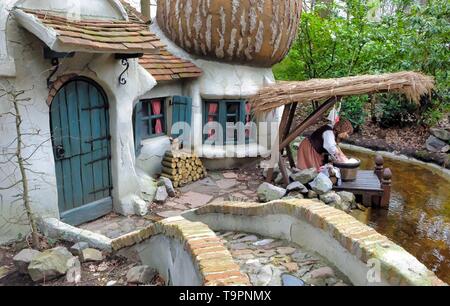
(50,264)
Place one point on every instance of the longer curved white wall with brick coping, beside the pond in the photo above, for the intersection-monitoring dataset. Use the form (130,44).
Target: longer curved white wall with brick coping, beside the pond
(339,237)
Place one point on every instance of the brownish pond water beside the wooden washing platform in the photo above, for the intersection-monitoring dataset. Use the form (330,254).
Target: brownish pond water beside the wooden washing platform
(418,218)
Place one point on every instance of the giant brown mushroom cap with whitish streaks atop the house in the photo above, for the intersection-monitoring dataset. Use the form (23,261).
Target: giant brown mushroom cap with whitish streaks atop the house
(252,32)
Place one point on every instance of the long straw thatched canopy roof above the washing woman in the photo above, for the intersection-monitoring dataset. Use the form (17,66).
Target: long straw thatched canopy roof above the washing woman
(411,84)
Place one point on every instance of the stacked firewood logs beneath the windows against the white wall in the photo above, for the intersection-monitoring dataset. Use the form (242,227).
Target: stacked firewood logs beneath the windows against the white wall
(182,168)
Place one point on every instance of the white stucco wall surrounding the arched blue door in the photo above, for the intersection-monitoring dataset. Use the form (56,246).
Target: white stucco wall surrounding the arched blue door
(32,71)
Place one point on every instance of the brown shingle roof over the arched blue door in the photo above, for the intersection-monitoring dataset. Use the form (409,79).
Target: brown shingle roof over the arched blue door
(99,35)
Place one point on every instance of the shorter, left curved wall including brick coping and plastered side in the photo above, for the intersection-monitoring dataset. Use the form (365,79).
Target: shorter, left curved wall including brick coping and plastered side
(185,253)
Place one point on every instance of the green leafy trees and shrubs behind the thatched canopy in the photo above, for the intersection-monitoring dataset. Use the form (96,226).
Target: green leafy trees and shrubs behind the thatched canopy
(343,38)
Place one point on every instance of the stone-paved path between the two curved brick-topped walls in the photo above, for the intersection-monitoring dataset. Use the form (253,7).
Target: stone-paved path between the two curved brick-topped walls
(271,262)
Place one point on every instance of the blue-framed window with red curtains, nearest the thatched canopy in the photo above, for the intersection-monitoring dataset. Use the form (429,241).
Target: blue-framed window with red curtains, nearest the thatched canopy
(227,113)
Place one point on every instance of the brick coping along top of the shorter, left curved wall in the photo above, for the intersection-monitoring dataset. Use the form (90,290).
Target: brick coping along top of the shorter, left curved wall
(212,260)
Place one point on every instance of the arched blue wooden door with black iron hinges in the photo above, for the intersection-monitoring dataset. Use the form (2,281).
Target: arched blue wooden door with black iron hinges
(81,143)
